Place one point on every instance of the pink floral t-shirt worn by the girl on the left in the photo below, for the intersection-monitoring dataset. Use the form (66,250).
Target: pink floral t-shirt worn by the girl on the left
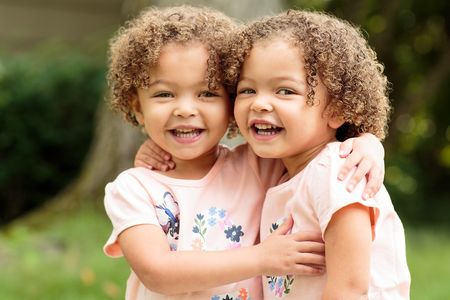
(220,211)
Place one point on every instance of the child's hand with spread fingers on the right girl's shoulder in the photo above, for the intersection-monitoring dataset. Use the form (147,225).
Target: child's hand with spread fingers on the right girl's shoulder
(366,153)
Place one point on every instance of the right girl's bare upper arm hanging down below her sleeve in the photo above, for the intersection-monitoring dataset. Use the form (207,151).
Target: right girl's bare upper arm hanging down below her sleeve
(348,239)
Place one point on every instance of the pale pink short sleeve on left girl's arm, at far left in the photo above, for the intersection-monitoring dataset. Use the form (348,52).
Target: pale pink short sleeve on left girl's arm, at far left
(127,203)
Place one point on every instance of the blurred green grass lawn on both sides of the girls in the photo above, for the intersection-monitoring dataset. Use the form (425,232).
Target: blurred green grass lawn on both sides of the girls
(64,260)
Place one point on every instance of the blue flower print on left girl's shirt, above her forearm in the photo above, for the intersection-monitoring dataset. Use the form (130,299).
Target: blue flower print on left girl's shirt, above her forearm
(216,222)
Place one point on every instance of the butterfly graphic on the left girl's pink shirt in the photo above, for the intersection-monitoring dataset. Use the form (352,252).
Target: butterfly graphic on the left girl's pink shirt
(168,213)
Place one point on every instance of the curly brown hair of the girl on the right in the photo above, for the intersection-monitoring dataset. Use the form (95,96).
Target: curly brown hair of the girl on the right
(334,51)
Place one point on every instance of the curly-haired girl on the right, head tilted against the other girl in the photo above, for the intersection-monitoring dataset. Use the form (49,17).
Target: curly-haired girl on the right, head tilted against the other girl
(327,84)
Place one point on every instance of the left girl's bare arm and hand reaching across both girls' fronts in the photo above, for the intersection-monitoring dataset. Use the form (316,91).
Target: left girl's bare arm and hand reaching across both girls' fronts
(172,272)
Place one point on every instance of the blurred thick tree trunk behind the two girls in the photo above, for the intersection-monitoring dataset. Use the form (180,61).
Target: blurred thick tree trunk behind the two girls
(115,142)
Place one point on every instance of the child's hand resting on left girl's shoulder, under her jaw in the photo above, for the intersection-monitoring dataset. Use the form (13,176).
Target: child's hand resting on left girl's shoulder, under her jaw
(152,156)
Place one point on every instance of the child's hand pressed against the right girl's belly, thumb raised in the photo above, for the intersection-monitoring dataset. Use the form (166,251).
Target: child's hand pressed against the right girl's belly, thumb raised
(300,253)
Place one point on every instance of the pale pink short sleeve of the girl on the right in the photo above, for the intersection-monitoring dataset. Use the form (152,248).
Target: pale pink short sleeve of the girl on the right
(328,194)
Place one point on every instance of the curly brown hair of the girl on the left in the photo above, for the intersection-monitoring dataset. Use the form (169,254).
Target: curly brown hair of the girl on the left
(136,48)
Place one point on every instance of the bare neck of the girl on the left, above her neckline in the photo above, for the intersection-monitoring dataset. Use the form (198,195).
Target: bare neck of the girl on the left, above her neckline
(195,168)
